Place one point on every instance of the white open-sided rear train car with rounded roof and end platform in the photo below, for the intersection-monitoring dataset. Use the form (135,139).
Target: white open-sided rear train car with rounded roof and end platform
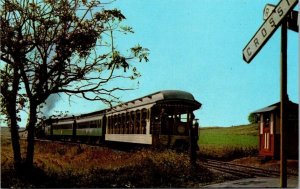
(161,118)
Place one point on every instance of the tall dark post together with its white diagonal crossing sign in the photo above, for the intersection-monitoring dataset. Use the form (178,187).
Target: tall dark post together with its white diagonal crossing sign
(280,15)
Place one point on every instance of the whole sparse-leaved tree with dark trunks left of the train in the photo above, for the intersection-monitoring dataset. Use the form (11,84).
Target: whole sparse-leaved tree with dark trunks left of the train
(68,46)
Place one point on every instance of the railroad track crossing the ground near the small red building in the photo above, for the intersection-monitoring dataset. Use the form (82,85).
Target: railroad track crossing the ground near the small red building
(240,170)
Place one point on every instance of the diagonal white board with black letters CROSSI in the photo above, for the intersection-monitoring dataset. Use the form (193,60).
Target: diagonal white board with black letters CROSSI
(267,29)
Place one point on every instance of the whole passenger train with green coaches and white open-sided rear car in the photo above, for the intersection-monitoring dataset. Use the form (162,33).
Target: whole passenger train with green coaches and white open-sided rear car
(162,118)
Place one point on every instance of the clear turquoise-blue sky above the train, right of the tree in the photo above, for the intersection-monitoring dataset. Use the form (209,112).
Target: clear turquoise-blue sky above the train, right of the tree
(196,46)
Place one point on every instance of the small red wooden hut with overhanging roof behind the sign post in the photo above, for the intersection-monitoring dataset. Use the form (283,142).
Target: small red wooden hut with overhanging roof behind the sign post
(269,131)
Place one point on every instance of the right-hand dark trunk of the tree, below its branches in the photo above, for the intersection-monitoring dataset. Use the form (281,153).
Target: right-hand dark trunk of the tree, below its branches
(30,136)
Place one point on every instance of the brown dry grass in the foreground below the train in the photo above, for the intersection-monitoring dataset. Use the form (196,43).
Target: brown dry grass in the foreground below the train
(74,165)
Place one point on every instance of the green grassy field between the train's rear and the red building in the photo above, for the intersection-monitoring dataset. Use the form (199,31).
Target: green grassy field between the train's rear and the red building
(228,142)
